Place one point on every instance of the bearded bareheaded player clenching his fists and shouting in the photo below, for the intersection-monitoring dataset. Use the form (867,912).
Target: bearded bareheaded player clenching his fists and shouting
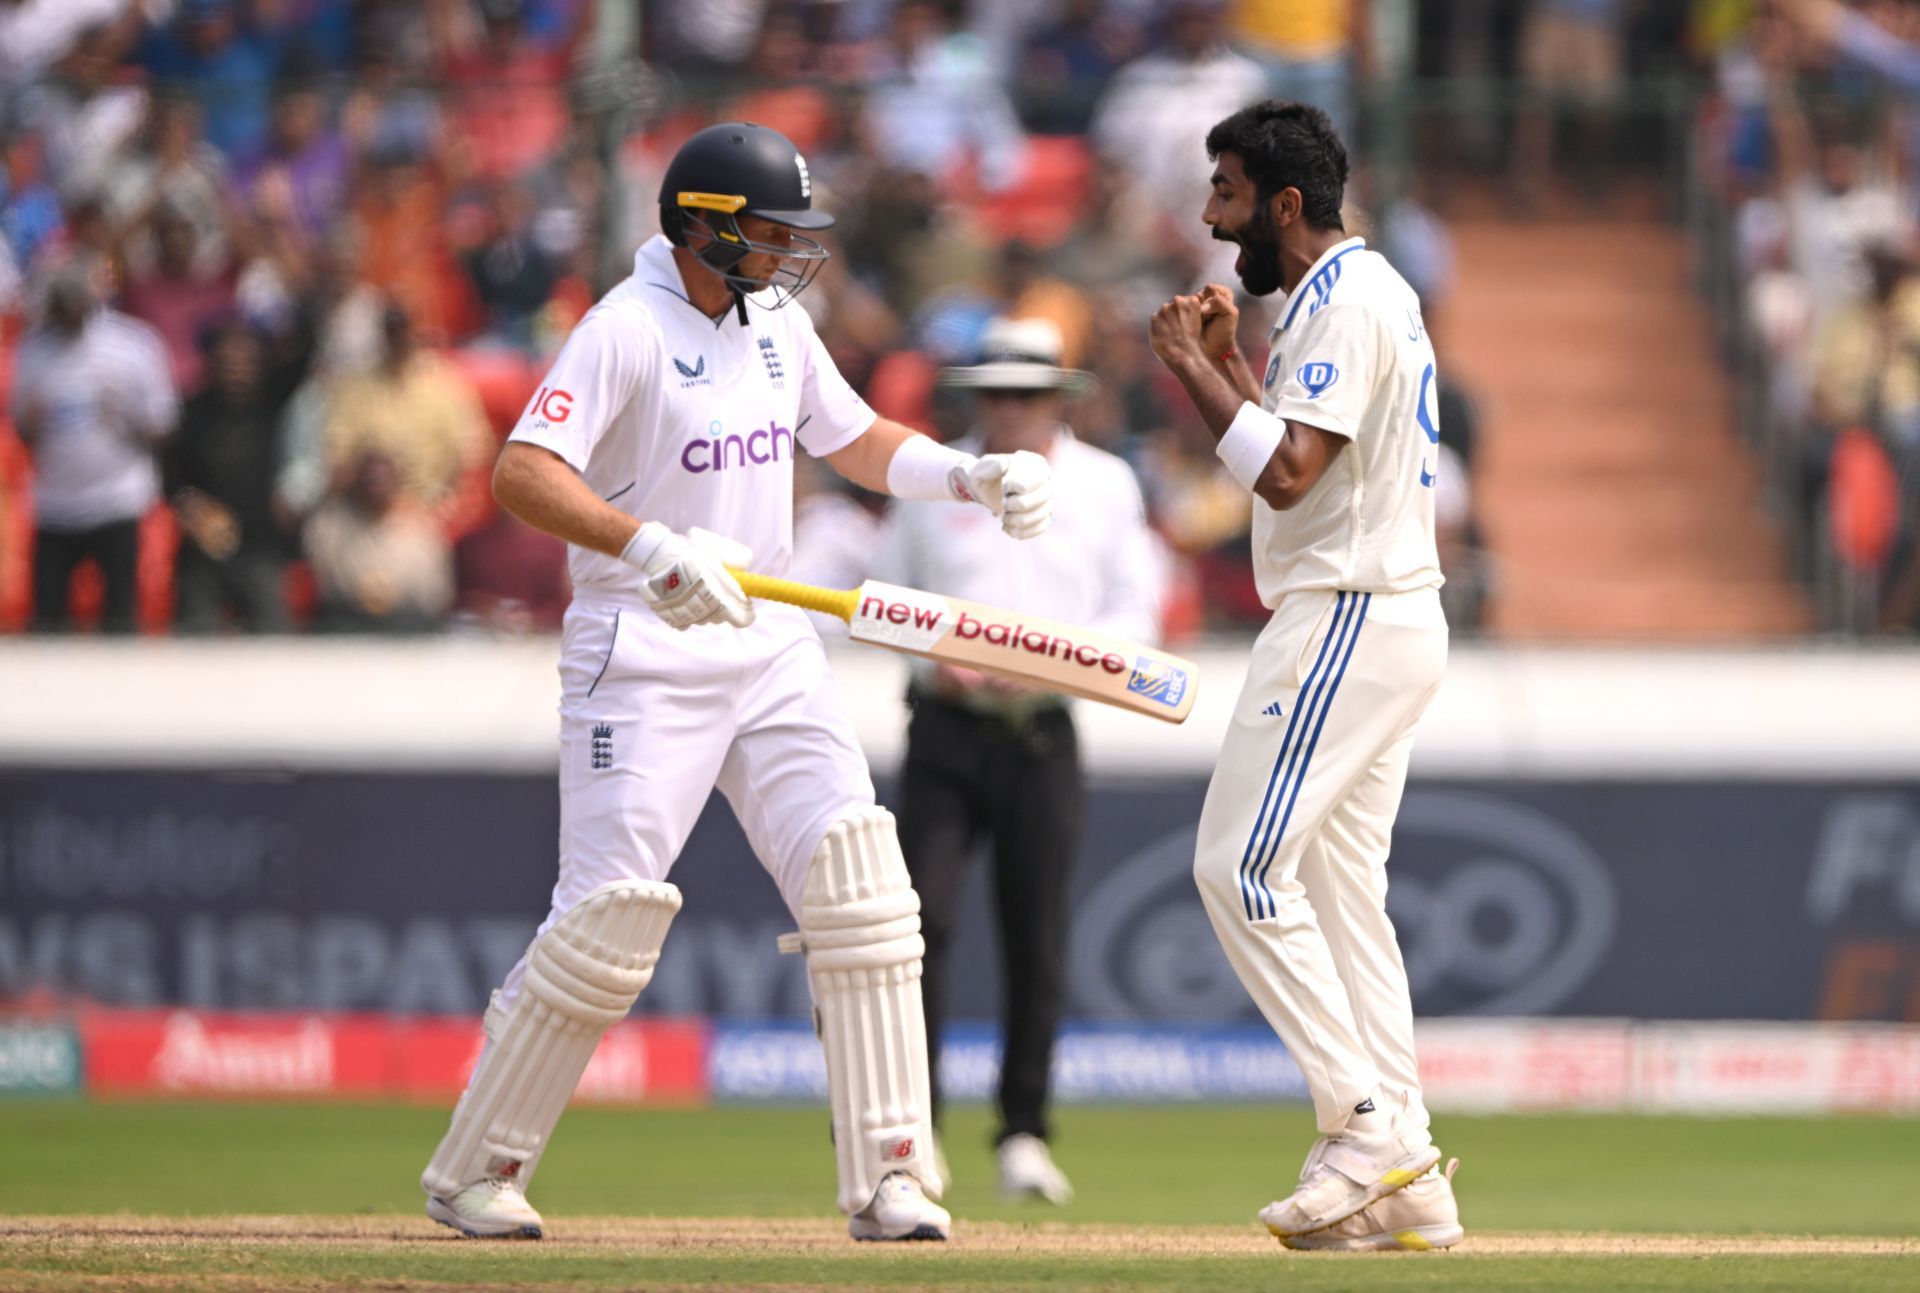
(1337,443)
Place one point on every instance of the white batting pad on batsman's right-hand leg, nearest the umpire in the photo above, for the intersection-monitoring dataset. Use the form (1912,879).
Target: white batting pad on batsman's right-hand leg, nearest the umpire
(861,933)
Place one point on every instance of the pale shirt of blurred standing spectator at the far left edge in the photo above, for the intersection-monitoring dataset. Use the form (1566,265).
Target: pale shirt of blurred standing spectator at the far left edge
(107,399)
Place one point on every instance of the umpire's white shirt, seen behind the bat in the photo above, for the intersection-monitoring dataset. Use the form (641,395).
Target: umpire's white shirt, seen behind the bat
(1095,566)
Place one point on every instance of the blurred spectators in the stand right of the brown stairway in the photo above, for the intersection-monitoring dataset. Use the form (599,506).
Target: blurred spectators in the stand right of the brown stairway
(1813,147)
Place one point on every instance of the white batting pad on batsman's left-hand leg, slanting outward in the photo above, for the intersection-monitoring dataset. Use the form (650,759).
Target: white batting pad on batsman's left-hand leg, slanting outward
(583,977)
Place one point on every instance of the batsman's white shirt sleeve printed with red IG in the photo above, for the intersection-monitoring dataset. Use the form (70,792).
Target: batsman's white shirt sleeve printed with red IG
(596,376)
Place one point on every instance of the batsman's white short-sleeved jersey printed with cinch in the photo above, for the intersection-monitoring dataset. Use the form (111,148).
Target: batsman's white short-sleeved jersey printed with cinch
(690,422)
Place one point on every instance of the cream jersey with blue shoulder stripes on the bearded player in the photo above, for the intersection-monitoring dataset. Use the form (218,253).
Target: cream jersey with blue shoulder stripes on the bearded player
(1351,356)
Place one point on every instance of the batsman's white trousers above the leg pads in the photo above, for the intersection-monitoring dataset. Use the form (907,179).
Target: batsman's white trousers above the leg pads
(654,720)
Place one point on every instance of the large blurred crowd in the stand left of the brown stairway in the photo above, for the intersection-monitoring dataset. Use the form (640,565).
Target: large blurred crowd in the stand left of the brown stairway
(276,276)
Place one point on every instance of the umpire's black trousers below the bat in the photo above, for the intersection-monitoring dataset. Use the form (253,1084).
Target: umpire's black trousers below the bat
(1017,785)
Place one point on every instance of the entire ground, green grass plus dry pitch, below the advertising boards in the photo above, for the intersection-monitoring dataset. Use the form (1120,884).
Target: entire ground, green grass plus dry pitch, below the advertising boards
(1161,1177)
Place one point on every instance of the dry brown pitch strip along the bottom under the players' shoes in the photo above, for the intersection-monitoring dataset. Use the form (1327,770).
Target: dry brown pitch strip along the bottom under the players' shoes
(310,1254)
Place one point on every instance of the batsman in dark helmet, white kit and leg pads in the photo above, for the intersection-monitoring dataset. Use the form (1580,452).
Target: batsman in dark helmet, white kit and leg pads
(661,449)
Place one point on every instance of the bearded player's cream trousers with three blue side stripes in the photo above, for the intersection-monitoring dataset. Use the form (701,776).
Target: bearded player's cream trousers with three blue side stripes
(1295,837)
